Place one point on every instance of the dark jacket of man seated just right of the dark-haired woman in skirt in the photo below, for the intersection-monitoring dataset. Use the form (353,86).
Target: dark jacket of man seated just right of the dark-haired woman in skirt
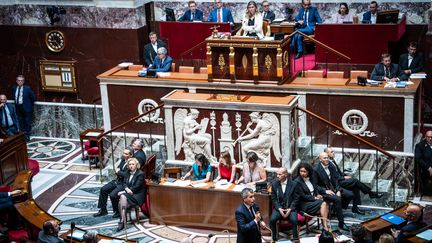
(320,178)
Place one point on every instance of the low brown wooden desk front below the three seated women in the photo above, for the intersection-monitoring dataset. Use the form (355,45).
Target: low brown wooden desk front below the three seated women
(200,207)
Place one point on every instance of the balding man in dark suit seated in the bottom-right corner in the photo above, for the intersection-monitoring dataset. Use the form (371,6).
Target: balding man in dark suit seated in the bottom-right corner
(414,218)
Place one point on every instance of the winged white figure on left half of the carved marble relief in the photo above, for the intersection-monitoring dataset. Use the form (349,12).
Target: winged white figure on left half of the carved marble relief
(195,139)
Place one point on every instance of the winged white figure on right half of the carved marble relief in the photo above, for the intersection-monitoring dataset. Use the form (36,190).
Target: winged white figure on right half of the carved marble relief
(265,136)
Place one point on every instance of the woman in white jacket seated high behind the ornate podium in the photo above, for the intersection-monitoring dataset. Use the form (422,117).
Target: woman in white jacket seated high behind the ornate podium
(252,21)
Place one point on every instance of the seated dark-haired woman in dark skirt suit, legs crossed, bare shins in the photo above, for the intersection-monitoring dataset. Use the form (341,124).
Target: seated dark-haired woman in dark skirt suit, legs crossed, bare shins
(310,195)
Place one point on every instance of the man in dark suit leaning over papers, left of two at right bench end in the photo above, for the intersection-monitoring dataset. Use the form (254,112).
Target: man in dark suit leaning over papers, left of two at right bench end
(387,71)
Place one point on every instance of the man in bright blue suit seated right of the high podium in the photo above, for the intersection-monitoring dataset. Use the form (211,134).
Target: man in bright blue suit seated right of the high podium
(307,18)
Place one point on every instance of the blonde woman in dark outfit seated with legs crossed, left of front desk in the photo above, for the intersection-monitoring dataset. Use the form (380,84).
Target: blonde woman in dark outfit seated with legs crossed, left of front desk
(133,192)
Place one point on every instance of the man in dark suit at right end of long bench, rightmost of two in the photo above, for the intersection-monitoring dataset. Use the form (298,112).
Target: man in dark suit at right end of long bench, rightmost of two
(411,62)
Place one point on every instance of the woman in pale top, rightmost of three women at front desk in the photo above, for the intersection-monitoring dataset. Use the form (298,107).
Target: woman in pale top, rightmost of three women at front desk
(252,171)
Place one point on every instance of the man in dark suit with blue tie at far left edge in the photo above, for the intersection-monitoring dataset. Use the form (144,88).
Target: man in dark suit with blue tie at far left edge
(8,117)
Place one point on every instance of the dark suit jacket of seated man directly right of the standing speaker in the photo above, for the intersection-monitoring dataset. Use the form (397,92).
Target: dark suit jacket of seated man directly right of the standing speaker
(284,200)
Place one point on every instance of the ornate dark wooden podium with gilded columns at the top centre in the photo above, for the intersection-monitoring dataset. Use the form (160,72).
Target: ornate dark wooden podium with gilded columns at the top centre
(247,60)
